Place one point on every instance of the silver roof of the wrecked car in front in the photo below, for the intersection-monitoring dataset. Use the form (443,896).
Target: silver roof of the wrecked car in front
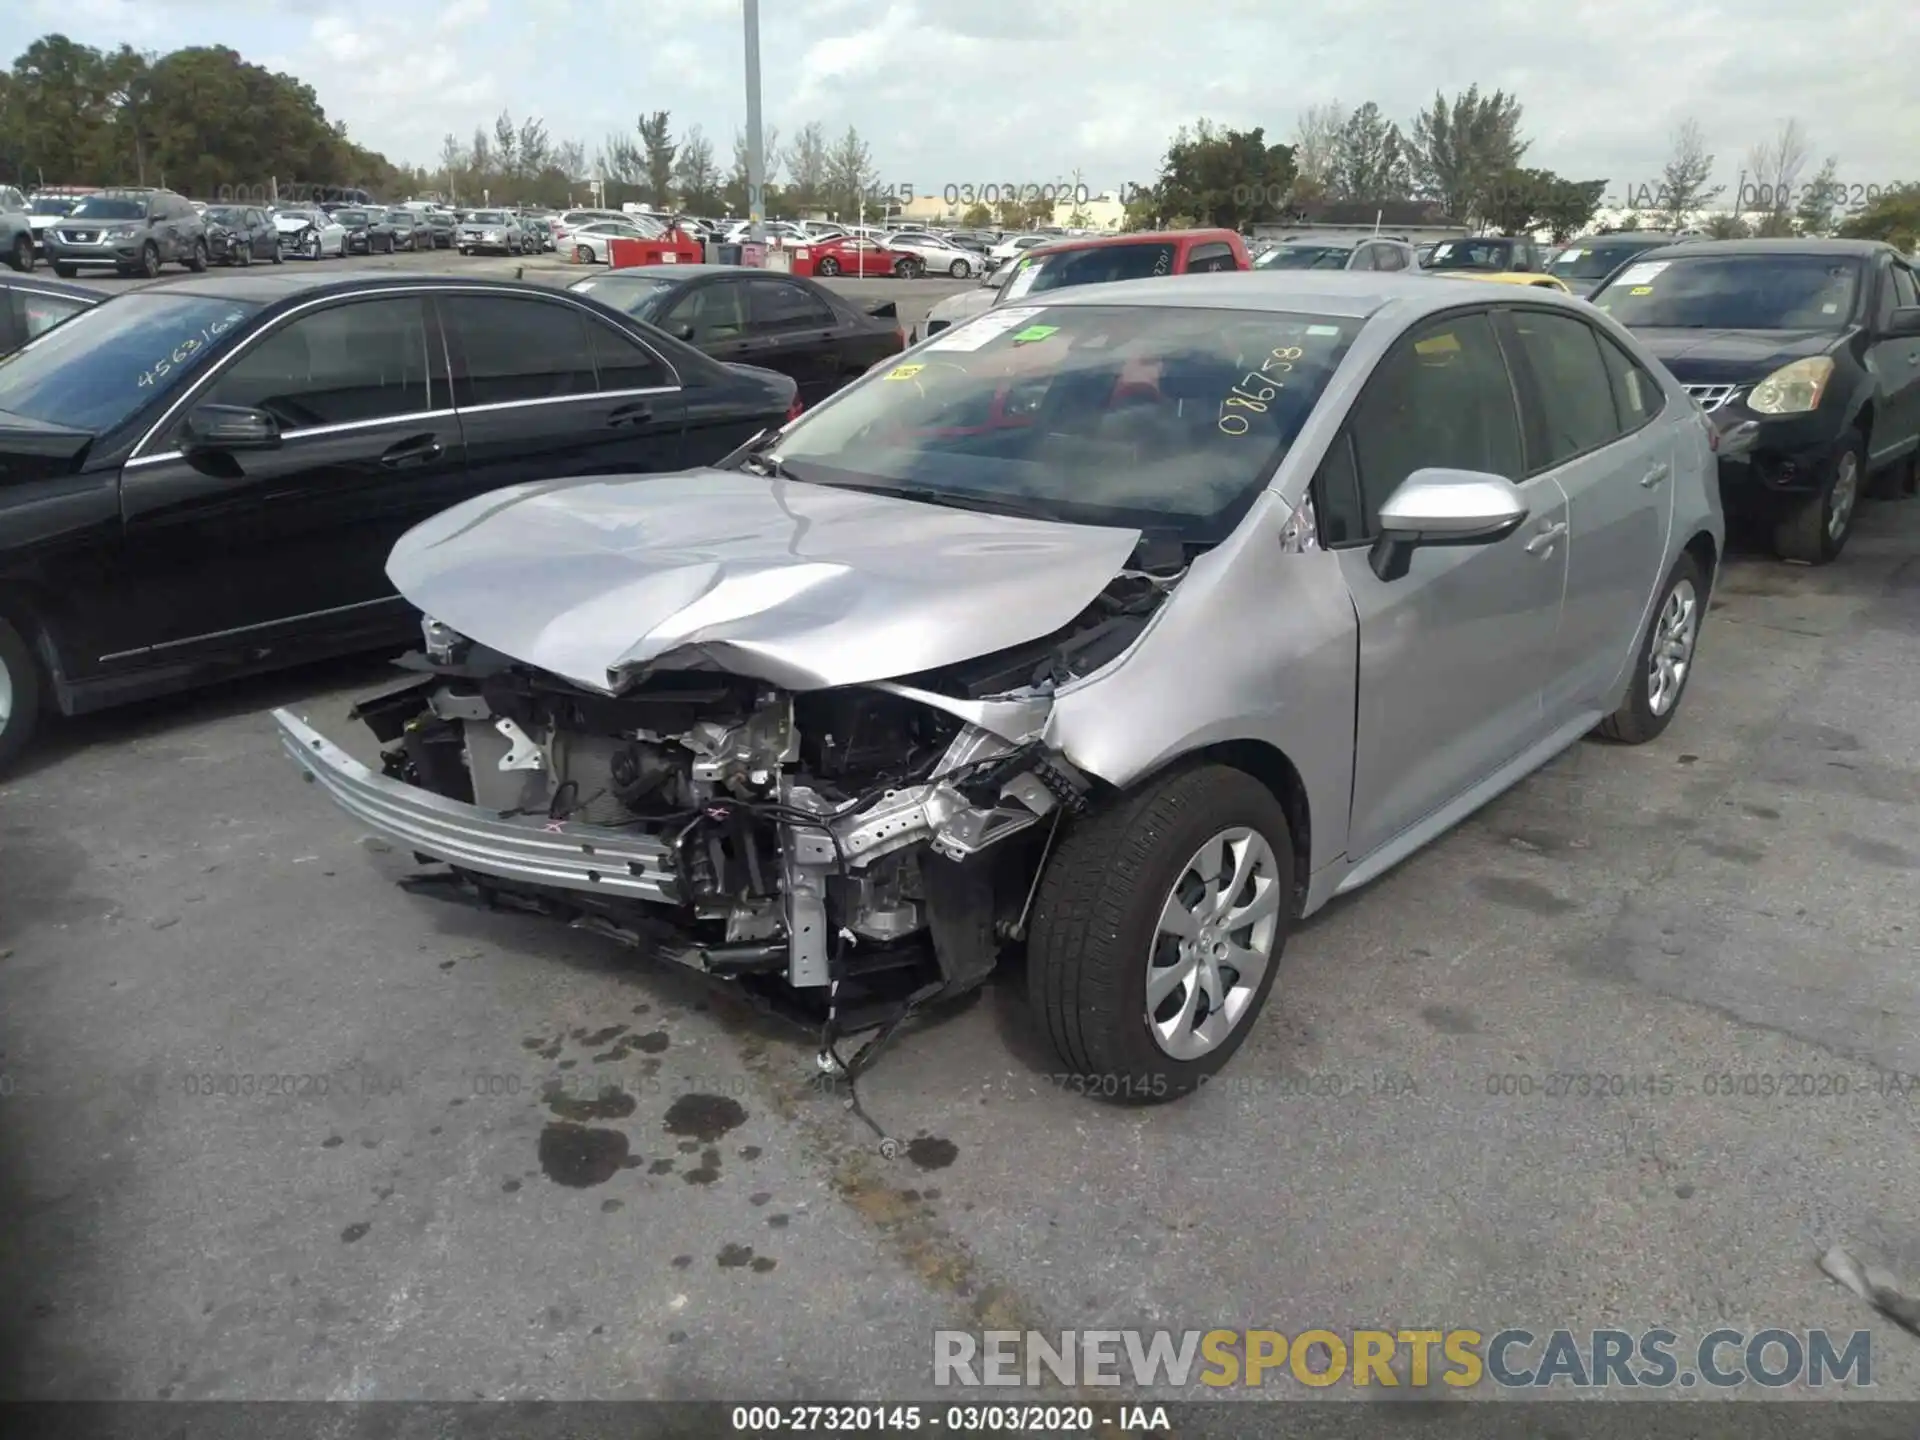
(1341,295)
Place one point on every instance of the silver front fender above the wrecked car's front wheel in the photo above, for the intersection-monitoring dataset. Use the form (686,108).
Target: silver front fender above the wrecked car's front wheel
(1257,646)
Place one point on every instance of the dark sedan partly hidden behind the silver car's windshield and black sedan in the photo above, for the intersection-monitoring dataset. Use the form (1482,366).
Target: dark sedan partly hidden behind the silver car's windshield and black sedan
(734,314)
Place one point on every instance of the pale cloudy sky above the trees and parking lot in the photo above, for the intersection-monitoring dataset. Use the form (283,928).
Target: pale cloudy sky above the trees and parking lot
(1032,91)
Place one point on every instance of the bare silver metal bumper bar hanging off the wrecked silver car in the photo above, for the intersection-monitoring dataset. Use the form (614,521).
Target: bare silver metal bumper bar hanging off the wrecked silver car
(531,850)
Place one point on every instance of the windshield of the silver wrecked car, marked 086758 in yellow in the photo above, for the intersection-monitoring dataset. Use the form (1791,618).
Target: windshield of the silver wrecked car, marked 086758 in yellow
(1155,418)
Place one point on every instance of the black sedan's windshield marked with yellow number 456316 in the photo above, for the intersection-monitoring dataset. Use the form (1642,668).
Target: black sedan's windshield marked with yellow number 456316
(99,368)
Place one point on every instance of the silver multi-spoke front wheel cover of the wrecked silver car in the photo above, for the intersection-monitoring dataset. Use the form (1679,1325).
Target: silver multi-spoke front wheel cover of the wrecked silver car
(1212,944)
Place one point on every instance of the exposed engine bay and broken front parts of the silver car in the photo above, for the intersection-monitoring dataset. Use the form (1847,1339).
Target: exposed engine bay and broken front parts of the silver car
(861,850)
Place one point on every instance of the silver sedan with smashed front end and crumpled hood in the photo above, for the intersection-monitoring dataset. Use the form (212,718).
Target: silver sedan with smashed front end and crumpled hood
(1120,631)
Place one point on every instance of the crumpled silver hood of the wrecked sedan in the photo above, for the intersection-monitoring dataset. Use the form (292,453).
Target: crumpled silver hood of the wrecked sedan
(802,587)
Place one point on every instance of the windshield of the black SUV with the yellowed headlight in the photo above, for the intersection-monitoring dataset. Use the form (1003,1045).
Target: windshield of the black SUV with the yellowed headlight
(1735,293)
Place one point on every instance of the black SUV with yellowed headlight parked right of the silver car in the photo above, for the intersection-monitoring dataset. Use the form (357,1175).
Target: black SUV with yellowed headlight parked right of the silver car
(1806,356)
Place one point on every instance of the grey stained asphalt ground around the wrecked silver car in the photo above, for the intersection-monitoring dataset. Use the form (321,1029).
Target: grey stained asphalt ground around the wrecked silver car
(276,1128)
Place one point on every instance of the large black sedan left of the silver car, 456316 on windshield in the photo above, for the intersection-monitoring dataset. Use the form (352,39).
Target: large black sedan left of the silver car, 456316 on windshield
(206,479)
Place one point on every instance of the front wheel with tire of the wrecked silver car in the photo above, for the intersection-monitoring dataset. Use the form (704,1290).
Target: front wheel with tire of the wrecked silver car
(1159,932)
